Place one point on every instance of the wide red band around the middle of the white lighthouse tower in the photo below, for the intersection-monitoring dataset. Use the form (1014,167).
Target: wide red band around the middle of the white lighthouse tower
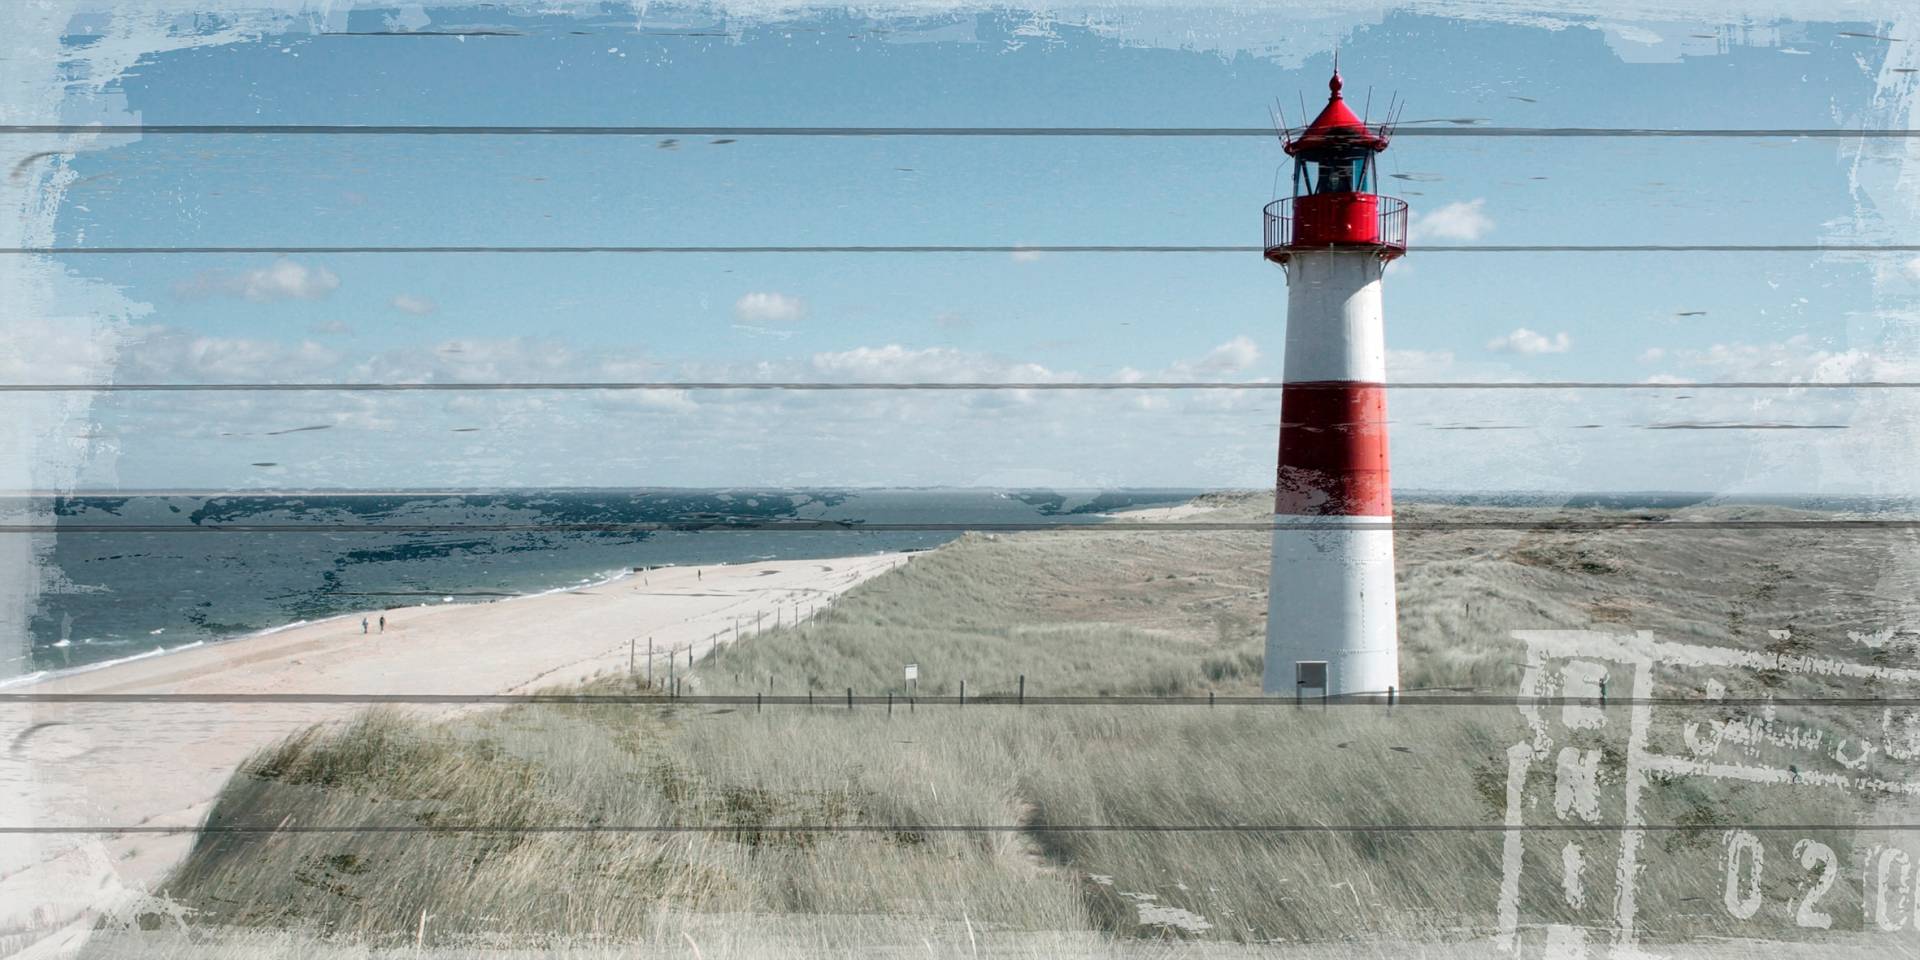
(1333,450)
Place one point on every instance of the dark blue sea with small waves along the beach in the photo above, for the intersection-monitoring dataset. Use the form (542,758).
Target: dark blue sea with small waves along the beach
(141,575)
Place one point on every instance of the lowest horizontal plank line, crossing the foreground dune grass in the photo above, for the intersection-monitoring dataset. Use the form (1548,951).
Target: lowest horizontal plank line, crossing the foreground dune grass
(948,828)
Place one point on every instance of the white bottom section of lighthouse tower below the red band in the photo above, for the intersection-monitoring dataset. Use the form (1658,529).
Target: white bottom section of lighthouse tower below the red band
(1332,602)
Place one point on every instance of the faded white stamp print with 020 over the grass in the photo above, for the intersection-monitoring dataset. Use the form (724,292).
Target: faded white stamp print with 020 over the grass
(1568,752)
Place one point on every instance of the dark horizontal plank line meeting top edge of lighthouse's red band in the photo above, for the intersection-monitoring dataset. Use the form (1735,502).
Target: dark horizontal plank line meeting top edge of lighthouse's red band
(957,385)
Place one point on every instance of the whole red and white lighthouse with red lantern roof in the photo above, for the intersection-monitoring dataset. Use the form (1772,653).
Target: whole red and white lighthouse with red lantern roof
(1332,594)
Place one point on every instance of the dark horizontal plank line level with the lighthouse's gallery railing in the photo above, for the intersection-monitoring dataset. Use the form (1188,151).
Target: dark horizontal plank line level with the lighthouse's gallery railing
(928,249)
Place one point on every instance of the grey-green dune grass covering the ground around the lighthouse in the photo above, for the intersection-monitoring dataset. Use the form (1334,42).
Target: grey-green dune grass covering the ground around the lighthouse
(721,819)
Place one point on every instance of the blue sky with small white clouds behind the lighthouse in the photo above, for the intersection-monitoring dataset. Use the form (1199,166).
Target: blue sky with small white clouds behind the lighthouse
(978,316)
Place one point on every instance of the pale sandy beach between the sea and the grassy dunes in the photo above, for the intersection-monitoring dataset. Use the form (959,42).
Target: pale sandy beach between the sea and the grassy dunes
(74,767)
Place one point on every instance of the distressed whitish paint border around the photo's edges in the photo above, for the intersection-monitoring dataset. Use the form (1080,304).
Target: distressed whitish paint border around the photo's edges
(72,325)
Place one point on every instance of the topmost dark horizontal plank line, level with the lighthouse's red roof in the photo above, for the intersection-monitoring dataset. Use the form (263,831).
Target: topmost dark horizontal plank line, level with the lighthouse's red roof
(412,130)
